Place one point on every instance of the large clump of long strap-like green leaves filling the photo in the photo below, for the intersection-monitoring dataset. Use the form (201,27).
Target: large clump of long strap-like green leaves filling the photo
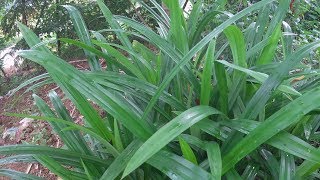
(225,102)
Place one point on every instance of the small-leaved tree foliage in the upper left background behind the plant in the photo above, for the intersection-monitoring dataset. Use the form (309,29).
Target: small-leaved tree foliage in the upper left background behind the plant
(48,19)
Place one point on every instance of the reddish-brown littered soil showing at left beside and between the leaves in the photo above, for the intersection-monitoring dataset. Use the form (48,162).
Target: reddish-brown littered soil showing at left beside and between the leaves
(33,132)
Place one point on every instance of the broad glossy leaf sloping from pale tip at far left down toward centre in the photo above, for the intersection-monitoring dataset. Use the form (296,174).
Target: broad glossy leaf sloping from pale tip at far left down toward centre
(73,79)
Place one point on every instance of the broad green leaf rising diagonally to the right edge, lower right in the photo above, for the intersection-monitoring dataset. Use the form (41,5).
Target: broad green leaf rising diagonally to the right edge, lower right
(282,119)
